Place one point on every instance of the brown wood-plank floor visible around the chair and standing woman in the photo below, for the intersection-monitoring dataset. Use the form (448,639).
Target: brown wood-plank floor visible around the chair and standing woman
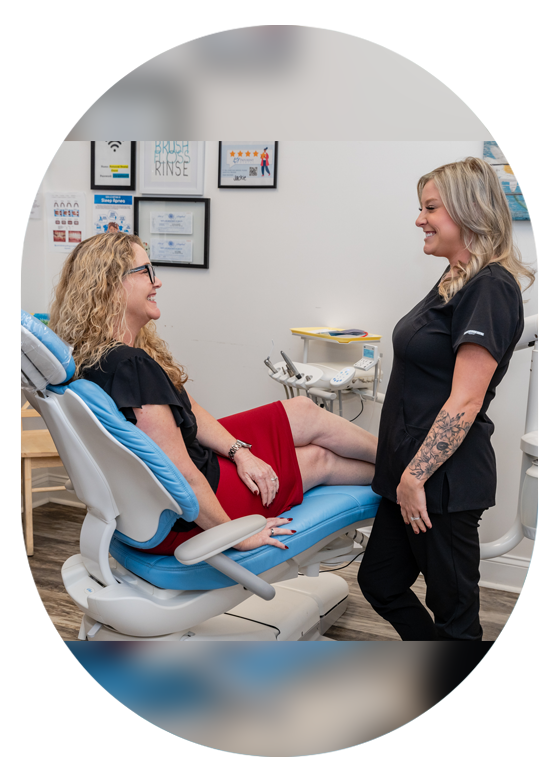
(56,536)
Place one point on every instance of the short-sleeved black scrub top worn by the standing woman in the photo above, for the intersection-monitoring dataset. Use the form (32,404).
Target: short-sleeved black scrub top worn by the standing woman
(487,311)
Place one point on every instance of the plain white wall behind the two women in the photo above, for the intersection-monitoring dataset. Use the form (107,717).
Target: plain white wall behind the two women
(336,244)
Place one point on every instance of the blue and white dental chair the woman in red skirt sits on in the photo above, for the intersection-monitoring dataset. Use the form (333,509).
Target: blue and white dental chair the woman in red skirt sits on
(133,494)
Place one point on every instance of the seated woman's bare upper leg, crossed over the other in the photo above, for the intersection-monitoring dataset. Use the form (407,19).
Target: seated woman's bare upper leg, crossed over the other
(312,425)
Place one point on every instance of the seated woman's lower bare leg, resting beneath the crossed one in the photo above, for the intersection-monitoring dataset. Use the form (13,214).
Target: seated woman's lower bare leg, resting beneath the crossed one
(321,467)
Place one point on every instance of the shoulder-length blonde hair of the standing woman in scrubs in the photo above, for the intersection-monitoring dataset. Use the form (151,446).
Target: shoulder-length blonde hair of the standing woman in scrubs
(473,197)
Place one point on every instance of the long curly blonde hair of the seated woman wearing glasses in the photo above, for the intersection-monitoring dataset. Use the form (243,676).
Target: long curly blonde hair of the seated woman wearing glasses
(89,305)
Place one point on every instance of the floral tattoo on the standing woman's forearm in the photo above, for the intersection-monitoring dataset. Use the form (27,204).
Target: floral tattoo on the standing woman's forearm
(443,439)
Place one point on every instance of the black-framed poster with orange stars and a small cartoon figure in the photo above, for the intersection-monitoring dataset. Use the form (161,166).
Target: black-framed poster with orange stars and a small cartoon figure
(248,164)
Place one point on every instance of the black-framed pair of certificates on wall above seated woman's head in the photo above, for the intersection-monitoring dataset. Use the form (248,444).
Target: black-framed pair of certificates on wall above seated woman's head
(174,231)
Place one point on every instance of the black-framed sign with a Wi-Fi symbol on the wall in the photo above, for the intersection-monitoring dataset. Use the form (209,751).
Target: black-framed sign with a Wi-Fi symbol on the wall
(113,165)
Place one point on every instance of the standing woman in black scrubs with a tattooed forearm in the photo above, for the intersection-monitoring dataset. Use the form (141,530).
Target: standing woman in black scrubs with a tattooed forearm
(436,468)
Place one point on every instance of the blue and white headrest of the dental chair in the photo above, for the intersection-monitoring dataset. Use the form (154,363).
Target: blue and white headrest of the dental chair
(45,358)
